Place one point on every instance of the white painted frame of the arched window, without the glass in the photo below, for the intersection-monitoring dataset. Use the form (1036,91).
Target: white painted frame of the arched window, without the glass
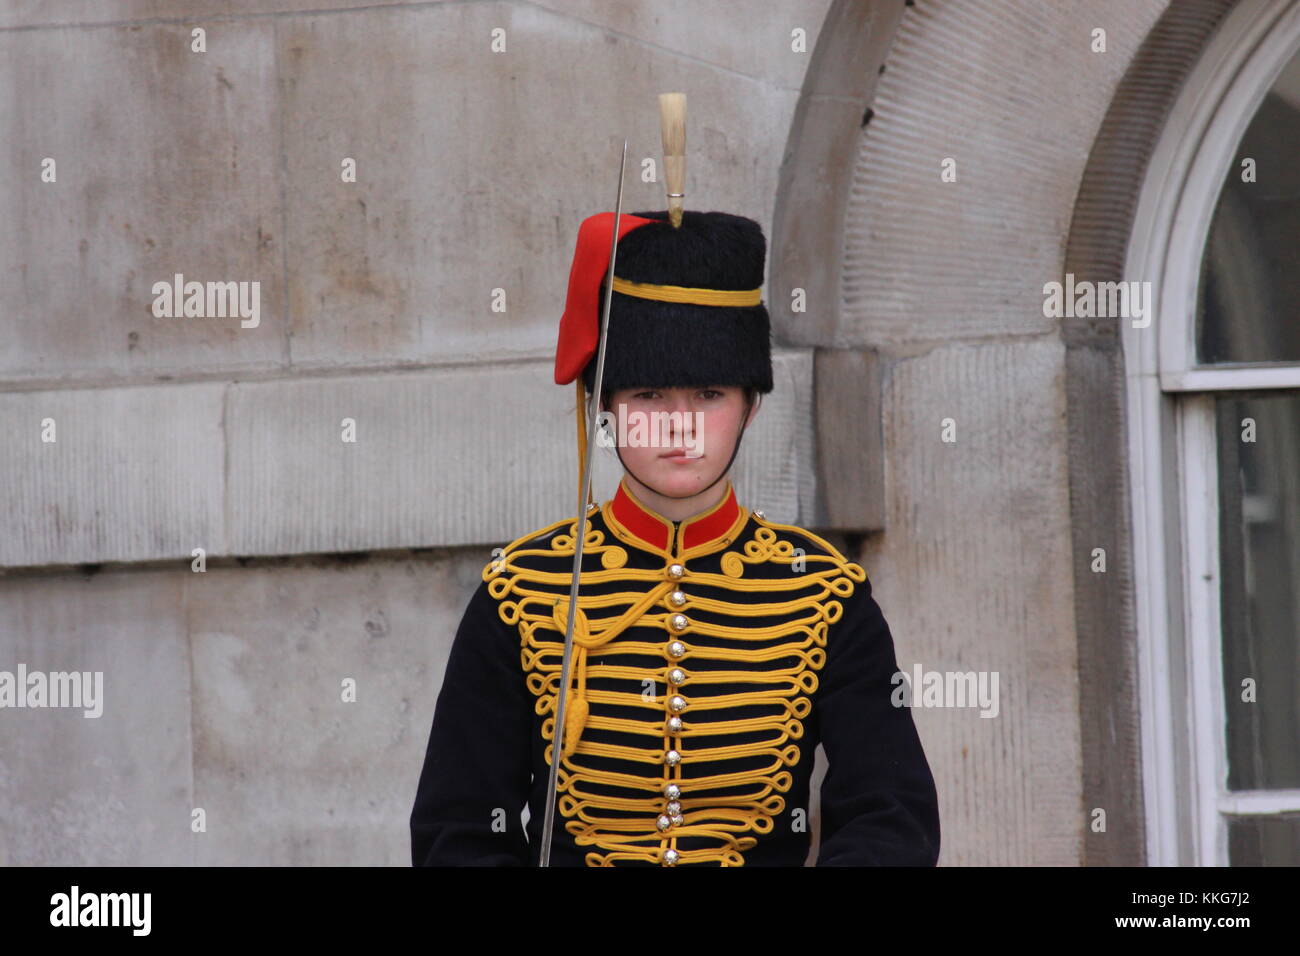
(1172,444)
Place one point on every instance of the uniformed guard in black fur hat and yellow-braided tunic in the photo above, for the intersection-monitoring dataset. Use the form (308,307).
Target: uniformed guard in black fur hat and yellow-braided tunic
(713,650)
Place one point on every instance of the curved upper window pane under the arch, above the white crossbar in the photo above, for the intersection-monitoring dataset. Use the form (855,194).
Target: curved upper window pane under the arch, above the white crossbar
(1249,306)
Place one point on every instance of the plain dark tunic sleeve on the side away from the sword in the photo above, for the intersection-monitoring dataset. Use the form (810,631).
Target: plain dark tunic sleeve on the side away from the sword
(879,804)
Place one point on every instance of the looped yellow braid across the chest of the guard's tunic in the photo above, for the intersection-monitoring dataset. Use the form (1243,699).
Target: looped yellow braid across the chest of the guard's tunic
(531,599)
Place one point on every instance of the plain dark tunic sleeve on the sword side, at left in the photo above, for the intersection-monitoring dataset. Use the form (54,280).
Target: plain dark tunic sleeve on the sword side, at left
(478,765)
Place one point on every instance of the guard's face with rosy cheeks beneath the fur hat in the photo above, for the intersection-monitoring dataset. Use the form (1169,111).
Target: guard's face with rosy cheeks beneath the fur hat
(677,440)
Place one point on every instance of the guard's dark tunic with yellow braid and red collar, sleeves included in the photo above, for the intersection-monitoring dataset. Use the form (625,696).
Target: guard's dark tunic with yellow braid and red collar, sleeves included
(712,657)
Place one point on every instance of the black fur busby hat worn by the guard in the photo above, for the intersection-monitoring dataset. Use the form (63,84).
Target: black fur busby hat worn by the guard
(658,344)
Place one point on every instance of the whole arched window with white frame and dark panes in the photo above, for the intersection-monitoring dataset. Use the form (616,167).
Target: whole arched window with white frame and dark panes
(1215,453)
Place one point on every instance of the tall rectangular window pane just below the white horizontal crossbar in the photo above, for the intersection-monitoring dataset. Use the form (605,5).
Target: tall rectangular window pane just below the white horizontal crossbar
(1259,488)
